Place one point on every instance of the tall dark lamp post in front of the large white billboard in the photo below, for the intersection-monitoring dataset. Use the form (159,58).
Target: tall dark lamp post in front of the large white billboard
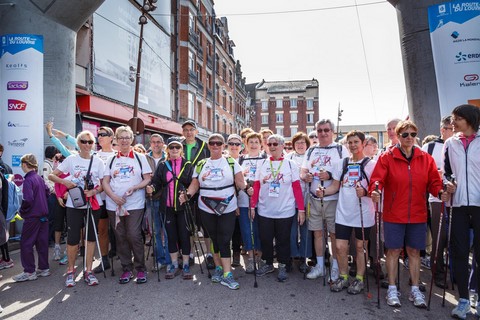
(148,6)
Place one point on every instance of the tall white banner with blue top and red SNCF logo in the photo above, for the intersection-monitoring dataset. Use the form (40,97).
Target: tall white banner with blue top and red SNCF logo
(21,99)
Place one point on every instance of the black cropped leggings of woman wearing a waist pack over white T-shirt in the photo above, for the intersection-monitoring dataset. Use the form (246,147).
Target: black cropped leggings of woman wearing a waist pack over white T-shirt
(220,229)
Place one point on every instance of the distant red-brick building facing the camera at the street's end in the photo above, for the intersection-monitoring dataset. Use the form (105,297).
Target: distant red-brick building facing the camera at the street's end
(285,107)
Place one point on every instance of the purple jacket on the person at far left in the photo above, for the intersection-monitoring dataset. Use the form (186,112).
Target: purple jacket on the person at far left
(35,194)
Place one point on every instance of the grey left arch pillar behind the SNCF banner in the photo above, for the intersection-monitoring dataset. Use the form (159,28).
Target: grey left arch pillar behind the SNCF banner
(58,21)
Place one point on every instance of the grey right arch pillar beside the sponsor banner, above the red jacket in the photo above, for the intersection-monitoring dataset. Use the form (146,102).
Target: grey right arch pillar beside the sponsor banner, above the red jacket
(421,84)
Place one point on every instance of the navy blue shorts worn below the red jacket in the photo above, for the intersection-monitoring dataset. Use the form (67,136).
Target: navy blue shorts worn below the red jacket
(413,235)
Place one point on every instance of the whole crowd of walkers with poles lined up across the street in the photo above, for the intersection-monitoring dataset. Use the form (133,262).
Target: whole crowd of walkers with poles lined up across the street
(310,201)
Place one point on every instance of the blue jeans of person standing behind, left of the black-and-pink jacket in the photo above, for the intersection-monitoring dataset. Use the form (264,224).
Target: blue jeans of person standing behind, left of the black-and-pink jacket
(161,239)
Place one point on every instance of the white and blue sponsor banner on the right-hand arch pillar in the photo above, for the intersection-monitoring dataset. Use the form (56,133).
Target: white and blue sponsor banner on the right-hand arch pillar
(455,37)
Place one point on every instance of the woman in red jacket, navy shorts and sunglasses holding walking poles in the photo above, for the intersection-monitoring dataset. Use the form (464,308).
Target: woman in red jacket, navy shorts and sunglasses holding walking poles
(405,175)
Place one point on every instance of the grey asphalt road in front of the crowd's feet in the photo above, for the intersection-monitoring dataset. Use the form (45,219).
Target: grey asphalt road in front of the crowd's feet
(48,298)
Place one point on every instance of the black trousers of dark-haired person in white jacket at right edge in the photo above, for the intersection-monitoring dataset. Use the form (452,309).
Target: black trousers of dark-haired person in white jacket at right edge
(463,219)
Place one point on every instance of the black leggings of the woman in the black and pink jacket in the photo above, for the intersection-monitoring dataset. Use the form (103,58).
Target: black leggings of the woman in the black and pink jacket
(177,232)
